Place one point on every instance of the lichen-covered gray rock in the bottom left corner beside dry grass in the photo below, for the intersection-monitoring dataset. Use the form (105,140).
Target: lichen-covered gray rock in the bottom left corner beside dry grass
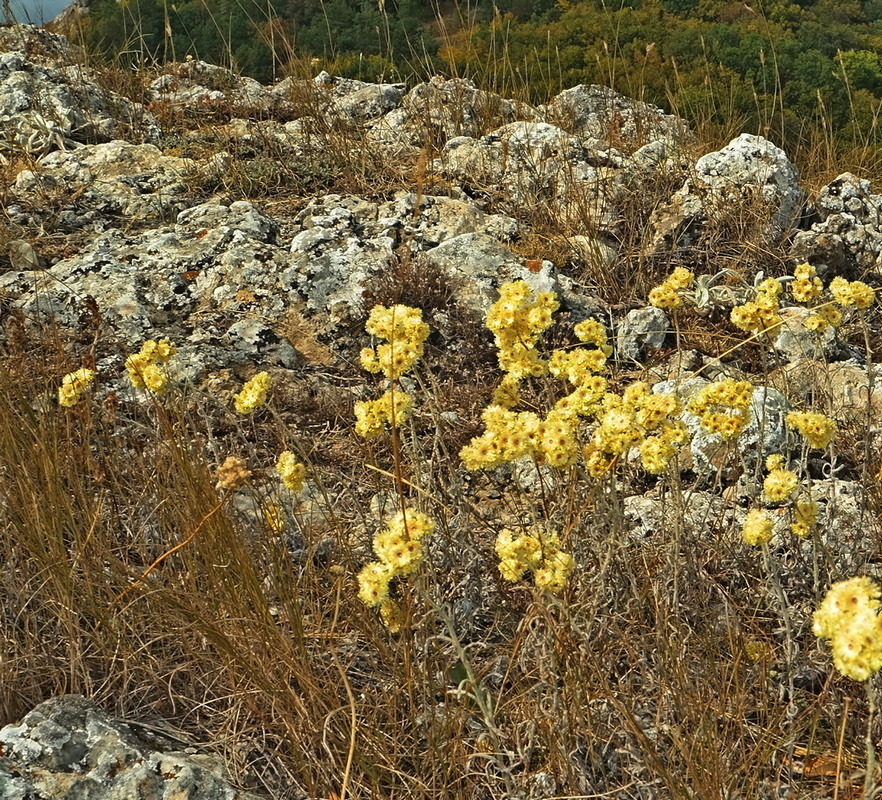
(68,749)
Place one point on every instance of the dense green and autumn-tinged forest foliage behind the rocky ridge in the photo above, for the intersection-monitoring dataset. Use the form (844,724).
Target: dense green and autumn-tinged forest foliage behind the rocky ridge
(775,66)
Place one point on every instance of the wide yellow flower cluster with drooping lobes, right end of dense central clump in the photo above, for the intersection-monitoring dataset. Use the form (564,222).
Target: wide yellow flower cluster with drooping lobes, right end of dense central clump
(637,418)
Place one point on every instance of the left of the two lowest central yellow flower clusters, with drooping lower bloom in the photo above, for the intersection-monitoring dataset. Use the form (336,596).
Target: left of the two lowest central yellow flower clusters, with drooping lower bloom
(399,548)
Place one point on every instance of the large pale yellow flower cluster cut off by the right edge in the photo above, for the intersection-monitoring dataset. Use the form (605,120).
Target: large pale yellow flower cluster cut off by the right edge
(849,617)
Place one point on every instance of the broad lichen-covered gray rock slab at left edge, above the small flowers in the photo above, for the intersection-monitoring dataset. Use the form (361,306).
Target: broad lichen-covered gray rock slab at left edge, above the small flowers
(216,261)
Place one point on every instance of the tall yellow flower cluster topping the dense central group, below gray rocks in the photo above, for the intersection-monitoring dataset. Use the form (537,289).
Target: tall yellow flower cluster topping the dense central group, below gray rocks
(517,320)
